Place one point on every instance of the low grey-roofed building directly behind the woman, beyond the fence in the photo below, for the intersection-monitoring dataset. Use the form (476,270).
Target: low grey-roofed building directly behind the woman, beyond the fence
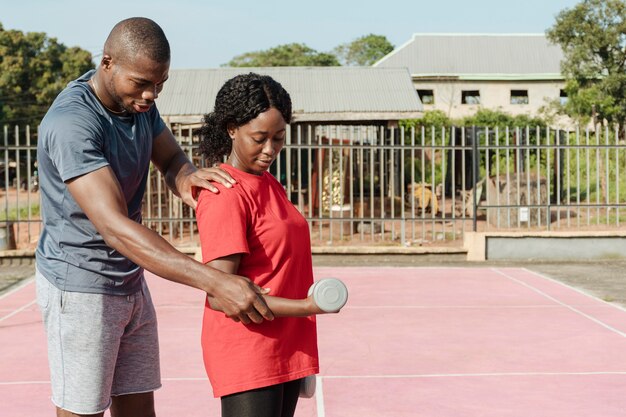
(332,107)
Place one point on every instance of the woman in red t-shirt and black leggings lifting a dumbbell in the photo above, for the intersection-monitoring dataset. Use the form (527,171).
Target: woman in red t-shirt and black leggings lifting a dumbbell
(254,230)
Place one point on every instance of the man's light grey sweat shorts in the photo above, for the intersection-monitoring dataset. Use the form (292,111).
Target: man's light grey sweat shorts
(99,346)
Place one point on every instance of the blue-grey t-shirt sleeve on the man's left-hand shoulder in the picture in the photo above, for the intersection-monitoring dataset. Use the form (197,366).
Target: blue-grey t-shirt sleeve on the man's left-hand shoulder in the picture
(75,145)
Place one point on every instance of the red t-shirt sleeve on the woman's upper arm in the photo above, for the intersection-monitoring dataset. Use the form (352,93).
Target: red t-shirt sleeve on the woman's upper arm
(223,220)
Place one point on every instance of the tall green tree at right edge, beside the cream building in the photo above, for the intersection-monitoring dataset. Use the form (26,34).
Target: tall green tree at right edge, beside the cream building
(592,35)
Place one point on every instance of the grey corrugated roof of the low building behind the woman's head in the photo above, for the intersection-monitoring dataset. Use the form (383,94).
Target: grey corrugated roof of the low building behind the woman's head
(313,90)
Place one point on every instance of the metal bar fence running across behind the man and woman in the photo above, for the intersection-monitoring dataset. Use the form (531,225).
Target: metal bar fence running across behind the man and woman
(377,185)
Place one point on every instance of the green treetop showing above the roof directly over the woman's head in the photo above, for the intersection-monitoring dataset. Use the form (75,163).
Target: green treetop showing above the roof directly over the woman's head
(289,55)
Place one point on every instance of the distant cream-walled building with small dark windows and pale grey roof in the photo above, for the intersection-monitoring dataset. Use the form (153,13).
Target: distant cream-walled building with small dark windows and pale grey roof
(461,73)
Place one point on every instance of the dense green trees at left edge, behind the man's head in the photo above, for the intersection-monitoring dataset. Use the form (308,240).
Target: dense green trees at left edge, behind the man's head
(33,70)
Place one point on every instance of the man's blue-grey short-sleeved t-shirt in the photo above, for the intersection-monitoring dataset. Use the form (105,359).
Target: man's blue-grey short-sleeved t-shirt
(78,136)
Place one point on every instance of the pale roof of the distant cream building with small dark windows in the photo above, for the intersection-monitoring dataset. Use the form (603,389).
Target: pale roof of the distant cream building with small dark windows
(503,56)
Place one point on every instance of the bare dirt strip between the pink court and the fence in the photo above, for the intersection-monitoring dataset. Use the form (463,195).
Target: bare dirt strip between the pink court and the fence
(603,279)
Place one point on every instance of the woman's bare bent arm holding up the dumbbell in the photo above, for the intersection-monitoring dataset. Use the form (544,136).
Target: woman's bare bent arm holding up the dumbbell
(281,307)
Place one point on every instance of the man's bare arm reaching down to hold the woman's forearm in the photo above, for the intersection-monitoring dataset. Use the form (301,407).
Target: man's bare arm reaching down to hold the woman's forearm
(99,195)
